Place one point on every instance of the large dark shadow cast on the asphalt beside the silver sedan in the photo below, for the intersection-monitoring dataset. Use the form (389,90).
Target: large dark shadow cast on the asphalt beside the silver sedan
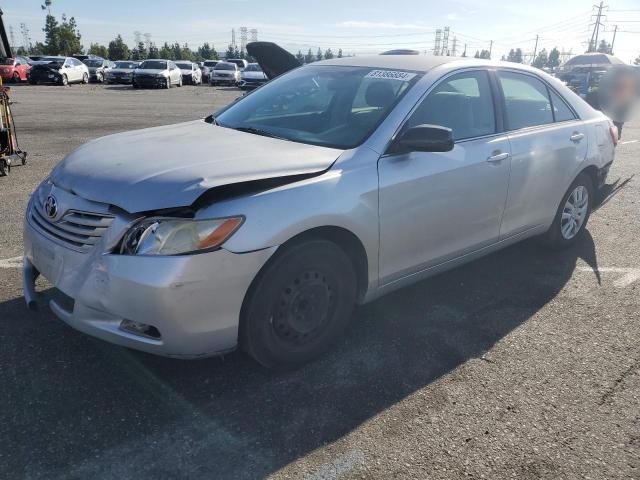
(80,408)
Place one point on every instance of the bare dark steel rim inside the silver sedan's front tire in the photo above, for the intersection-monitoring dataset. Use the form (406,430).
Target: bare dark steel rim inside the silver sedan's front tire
(303,309)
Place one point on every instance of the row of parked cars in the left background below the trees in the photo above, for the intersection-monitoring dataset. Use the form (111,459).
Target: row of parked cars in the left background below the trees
(148,73)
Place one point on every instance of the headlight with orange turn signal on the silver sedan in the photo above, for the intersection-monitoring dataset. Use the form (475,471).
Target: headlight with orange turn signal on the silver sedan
(177,236)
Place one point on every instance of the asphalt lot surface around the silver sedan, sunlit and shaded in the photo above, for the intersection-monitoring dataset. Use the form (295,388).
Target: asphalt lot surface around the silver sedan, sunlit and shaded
(524,364)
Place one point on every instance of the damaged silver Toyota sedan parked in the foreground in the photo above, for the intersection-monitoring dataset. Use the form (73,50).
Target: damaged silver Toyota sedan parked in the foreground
(263,225)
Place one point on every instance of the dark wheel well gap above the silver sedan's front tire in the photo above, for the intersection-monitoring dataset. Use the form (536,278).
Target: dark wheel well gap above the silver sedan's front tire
(346,240)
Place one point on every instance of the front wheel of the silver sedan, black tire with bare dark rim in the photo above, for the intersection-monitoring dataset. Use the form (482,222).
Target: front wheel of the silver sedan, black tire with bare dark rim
(298,305)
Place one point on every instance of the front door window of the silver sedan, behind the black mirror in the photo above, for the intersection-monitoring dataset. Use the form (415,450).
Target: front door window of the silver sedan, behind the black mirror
(462,102)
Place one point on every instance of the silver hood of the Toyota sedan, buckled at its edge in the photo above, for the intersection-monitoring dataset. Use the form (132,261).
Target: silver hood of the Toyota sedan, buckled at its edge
(172,166)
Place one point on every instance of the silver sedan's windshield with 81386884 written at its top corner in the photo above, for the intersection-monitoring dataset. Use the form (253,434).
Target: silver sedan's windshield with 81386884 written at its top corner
(321,105)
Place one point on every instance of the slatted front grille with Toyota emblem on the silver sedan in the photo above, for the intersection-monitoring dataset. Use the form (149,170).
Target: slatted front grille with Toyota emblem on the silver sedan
(77,230)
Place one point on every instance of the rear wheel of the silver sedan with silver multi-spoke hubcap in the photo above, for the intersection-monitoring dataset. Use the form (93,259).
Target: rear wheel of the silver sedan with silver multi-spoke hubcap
(572,215)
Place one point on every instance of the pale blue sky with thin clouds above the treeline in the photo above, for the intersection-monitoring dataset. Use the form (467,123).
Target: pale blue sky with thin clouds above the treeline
(357,26)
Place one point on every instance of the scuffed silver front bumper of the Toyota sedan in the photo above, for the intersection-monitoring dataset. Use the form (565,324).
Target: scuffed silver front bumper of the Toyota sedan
(192,302)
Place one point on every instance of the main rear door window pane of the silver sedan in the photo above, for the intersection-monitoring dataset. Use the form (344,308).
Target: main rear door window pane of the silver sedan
(526,99)
